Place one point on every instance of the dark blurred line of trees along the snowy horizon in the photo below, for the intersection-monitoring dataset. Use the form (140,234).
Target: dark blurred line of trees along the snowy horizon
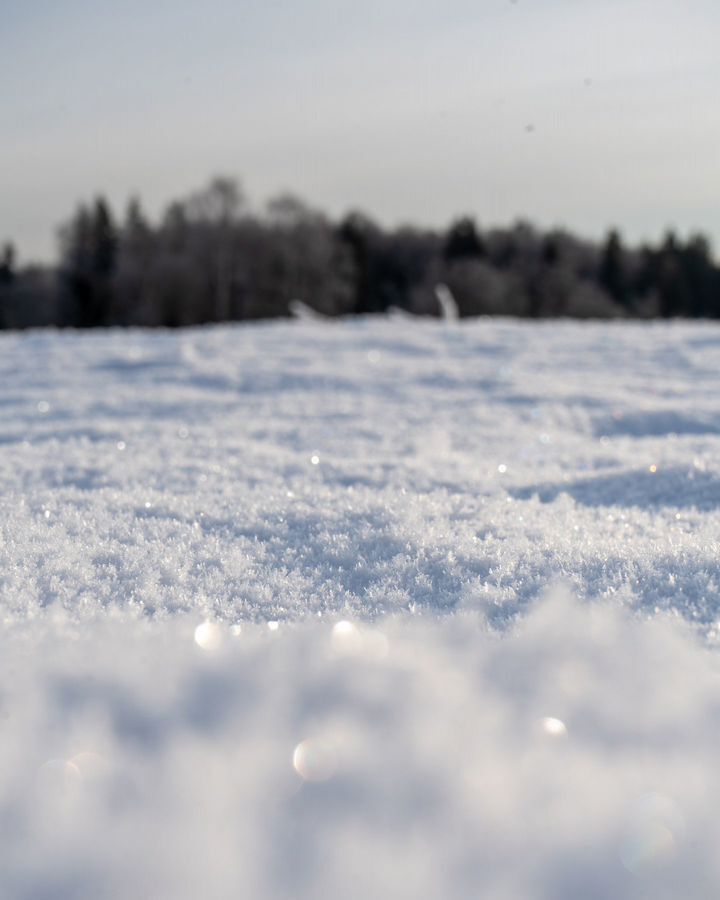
(211,258)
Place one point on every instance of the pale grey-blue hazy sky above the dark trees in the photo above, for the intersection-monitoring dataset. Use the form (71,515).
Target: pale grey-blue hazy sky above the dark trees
(583,113)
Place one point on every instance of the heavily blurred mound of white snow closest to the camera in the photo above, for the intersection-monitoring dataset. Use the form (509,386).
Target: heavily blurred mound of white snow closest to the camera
(573,756)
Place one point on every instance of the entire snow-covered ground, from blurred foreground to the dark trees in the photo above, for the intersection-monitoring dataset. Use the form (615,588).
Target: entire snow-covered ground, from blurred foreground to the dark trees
(374,608)
